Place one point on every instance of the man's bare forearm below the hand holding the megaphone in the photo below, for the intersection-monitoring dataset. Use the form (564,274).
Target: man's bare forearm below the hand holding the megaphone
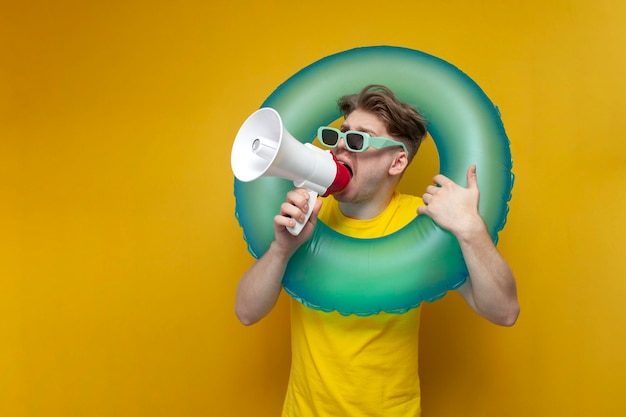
(260,287)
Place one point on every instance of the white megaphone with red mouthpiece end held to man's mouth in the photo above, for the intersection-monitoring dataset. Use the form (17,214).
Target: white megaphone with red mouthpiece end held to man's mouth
(264,148)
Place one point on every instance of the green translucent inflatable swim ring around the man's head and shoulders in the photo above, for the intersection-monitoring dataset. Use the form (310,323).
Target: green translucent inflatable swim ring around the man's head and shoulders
(420,262)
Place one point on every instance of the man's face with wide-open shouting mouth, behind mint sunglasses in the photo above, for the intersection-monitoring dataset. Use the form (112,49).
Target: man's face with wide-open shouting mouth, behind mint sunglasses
(370,169)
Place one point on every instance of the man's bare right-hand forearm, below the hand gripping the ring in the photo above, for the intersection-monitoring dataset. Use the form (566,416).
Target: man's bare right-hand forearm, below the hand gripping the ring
(491,289)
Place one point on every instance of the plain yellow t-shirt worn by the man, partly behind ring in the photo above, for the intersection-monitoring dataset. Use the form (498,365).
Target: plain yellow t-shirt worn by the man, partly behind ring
(356,366)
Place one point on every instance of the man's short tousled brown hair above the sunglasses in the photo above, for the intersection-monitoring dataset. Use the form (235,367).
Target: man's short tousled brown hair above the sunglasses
(402,120)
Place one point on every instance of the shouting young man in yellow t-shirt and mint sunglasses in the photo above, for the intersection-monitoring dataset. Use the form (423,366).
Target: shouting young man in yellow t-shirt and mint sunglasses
(367,366)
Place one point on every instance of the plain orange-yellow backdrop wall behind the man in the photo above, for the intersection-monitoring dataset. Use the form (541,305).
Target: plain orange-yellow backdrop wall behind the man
(120,253)
